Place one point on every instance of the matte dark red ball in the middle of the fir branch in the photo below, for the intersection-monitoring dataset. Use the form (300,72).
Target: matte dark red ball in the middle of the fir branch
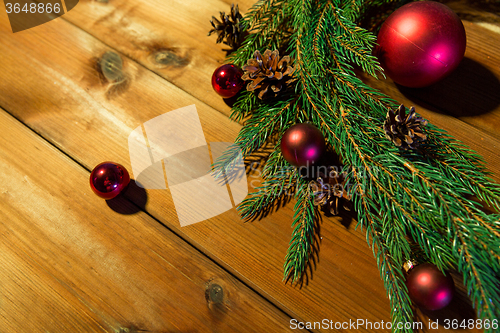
(302,144)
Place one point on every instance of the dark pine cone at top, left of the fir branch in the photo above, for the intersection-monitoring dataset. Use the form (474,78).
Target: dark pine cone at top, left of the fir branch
(229,27)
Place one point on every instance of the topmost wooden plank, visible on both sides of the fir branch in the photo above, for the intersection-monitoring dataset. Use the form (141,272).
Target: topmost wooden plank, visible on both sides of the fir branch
(143,29)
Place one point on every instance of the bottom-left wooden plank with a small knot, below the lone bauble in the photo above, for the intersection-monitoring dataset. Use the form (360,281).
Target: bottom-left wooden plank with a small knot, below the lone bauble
(71,264)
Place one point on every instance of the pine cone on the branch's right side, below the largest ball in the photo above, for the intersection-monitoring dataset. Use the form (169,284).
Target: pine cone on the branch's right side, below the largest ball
(404,130)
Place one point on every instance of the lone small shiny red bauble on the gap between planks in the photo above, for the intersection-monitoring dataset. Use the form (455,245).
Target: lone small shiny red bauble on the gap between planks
(109,179)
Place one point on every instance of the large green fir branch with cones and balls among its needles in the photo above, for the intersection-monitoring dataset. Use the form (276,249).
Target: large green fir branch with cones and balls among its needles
(424,194)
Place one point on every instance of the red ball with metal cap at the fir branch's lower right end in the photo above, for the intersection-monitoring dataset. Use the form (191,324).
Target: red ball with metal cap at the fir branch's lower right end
(429,288)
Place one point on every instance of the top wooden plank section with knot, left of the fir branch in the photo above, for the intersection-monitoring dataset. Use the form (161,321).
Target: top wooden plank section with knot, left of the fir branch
(168,37)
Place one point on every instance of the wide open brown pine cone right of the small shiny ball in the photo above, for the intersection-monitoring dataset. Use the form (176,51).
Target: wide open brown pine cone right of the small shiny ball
(268,71)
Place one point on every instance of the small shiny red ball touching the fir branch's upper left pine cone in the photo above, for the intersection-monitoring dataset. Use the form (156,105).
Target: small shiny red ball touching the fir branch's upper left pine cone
(227,81)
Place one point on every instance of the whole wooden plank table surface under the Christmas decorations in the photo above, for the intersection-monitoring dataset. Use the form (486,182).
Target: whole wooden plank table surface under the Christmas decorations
(71,262)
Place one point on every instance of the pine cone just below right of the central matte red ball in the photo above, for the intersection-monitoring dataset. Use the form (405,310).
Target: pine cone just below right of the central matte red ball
(329,191)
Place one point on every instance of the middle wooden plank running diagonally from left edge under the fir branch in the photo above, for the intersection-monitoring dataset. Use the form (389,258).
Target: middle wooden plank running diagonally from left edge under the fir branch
(50,83)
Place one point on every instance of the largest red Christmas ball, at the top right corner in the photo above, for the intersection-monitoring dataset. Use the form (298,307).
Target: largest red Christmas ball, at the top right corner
(421,43)
